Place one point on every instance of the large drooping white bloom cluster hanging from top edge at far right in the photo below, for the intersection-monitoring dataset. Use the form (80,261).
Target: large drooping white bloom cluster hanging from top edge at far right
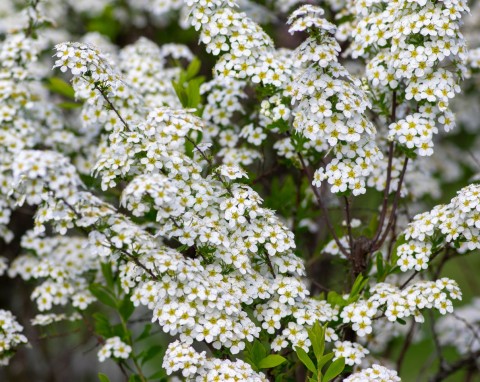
(417,53)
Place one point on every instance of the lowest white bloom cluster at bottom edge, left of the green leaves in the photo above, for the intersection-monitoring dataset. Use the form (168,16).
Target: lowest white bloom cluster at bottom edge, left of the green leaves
(196,366)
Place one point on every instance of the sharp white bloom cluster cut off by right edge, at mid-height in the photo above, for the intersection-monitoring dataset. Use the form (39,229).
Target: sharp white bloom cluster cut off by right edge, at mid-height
(455,224)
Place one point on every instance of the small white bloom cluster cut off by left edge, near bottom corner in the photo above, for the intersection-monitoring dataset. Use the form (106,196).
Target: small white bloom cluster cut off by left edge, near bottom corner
(10,336)
